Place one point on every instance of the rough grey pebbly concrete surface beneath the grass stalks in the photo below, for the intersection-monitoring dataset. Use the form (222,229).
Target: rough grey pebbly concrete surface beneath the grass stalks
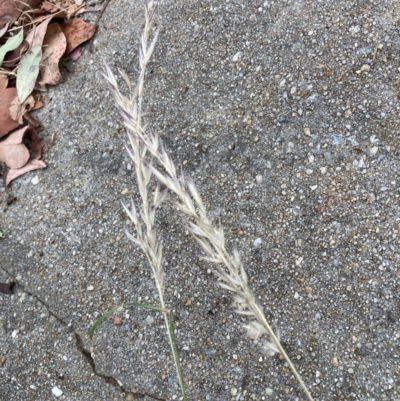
(286,114)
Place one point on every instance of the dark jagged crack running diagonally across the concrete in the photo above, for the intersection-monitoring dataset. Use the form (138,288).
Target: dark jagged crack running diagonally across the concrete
(81,348)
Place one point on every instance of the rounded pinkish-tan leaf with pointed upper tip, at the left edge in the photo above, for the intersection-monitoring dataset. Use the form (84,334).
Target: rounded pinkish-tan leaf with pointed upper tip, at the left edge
(12,151)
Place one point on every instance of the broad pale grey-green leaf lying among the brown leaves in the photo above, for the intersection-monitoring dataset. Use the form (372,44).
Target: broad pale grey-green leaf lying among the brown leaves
(28,71)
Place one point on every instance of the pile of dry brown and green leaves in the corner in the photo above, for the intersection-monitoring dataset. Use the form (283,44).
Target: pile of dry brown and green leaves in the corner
(34,36)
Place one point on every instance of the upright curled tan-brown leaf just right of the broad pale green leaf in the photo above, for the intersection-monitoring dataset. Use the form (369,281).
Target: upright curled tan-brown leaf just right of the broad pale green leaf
(54,45)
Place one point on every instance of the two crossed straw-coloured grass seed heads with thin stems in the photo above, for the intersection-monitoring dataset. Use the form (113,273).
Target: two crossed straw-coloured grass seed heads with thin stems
(145,149)
